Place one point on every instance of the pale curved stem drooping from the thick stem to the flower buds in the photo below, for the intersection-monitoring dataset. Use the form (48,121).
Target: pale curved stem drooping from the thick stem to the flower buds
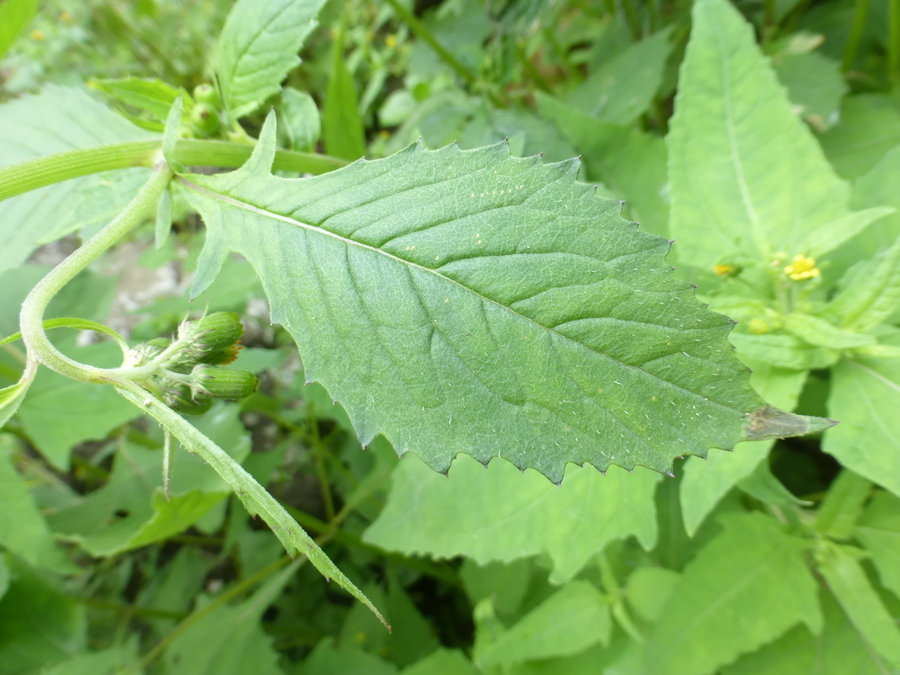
(31,319)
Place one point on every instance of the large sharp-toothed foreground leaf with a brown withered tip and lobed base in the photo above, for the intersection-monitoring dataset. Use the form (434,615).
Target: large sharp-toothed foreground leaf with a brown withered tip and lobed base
(478,303)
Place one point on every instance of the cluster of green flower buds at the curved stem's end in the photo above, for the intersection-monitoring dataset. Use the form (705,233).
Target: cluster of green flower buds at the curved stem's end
(189,372)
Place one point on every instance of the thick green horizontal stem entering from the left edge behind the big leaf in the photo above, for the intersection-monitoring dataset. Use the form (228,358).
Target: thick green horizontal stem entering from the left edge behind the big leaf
(24,176)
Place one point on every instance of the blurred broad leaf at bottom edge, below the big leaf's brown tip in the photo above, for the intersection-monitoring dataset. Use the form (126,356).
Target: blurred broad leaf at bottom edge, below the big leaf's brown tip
(744,589)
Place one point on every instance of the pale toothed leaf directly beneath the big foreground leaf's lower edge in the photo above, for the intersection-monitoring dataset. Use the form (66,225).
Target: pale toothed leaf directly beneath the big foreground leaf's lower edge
(498,513)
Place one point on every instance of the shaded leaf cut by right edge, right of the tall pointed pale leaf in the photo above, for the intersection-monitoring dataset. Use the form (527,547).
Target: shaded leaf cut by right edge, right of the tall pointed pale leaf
(869,126)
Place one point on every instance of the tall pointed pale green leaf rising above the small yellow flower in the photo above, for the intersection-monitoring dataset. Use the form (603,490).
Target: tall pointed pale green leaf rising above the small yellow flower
(747,176)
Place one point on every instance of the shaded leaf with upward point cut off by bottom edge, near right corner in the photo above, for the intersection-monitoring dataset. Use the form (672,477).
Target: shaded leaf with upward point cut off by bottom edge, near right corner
(838,650)
